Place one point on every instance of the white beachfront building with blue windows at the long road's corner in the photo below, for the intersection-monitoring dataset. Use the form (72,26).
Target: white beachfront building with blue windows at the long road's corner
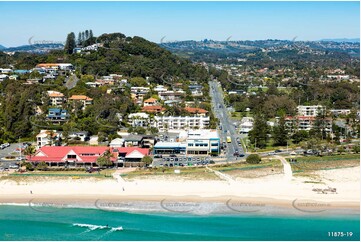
(203,142)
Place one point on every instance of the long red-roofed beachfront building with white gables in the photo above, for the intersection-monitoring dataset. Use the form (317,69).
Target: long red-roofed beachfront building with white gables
(86,156)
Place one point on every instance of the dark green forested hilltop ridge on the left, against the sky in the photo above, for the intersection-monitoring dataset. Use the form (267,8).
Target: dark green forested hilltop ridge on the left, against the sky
(130,56)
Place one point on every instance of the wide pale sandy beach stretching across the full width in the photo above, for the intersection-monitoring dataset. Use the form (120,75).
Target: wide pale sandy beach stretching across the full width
(274,190)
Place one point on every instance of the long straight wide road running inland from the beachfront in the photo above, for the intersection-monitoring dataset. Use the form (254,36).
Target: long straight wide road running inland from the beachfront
(228,128)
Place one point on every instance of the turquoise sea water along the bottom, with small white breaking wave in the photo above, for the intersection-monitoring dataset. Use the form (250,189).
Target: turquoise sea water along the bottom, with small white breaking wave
(25,223)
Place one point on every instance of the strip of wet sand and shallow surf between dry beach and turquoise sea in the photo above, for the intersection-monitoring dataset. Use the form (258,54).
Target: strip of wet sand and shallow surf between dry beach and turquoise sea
(186,205)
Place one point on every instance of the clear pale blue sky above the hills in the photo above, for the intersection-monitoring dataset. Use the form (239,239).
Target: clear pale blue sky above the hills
(176,21)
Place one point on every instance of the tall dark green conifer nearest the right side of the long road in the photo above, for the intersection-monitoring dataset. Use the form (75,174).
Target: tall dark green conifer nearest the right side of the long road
(258,135)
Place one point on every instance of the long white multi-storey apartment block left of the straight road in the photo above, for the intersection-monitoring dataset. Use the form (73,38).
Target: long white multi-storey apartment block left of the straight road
(163,123)
